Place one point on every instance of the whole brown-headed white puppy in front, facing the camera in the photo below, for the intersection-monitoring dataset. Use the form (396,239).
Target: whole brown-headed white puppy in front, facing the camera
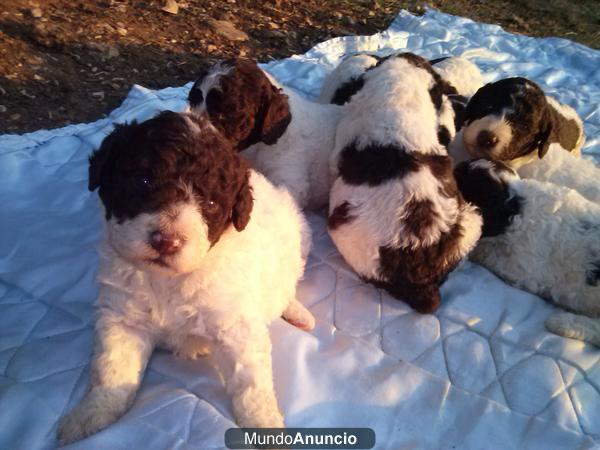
(199,252)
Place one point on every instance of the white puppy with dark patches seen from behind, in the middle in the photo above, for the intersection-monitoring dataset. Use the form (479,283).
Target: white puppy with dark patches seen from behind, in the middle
(395,213)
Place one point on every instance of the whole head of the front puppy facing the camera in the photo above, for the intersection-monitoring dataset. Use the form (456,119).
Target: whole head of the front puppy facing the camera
(170,187)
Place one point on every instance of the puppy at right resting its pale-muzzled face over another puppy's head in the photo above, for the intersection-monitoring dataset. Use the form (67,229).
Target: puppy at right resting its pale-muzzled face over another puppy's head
(513,121)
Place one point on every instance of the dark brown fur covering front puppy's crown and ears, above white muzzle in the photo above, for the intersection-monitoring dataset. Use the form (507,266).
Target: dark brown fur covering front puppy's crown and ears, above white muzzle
(146,167)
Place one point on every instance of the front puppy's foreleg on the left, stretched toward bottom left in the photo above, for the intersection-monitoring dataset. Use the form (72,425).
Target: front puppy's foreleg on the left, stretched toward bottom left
(120,357)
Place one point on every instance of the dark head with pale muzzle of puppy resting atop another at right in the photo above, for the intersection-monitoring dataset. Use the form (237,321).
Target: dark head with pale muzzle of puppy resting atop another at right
(508,120)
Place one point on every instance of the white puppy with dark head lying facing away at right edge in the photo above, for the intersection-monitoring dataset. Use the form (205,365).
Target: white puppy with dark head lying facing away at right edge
(540,237)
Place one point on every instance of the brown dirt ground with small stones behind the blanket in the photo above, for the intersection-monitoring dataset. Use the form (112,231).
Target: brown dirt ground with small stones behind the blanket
(70,61)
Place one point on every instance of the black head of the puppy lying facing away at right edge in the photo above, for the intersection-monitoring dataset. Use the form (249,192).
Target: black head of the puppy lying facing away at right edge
(485,184)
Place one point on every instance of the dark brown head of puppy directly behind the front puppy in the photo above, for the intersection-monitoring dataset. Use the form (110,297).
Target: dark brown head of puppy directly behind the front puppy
(241,103)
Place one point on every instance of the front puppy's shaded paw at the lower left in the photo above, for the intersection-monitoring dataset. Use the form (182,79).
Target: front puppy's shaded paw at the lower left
(97,411)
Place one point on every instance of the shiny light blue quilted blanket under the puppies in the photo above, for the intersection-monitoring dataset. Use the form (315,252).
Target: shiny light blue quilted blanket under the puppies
(480,373)
